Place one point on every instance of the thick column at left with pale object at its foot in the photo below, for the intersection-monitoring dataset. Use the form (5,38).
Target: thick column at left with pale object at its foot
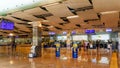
(36,40)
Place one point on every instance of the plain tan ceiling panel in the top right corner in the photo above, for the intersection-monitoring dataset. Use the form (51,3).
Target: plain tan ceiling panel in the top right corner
(106,5)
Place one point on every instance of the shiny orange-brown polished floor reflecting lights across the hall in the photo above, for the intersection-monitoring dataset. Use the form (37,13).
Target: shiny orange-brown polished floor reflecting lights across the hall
(87,59)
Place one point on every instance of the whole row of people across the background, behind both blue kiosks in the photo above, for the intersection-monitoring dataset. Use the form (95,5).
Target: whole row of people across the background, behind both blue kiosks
(109,44)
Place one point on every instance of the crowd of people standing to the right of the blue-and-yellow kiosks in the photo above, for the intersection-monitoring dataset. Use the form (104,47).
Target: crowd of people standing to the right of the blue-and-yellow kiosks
(98,44)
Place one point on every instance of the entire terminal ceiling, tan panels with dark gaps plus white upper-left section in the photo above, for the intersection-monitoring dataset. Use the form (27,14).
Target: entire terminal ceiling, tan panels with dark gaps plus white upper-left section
(61,15)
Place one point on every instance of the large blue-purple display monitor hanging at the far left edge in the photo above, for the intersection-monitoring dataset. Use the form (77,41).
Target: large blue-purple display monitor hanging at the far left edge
(6,25)
